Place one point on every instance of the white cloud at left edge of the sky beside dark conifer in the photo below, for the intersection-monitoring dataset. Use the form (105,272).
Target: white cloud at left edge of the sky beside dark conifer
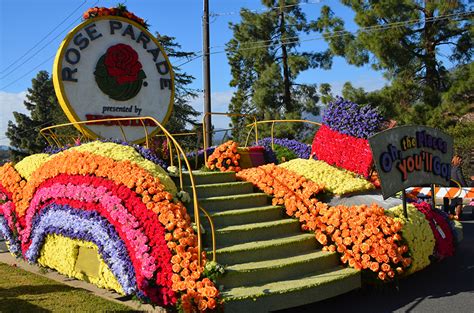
(9,102)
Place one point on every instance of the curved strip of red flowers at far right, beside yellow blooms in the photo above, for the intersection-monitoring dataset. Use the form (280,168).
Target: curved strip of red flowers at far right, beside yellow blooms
(444,240)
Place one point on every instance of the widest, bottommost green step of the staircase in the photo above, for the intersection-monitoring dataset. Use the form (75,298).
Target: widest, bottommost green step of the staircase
(291,292)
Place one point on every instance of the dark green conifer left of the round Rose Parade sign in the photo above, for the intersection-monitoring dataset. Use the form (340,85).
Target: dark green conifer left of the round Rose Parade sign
(45,111)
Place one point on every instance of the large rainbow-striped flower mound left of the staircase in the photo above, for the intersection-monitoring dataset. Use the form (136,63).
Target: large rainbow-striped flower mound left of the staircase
(107,197)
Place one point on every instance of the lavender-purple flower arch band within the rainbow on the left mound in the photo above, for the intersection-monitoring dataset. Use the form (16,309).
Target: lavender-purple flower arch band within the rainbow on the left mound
(88,226)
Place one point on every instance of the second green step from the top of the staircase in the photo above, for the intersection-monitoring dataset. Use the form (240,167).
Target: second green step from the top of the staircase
(221,189)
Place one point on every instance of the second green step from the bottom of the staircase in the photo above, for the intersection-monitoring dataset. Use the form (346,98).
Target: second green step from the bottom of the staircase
(263,272)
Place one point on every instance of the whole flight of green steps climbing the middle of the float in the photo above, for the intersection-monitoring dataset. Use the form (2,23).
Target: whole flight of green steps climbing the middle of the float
(270,263)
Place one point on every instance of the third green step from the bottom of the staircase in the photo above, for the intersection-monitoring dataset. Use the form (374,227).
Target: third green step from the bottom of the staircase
(266,249)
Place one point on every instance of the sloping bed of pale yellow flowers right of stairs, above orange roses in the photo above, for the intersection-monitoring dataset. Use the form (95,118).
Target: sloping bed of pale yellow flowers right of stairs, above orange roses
(335,181)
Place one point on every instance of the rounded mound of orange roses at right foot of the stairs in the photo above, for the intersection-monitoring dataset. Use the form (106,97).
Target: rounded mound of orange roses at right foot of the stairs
(365,237)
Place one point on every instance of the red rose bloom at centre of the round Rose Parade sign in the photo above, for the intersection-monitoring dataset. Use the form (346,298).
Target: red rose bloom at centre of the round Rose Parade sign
(122,63)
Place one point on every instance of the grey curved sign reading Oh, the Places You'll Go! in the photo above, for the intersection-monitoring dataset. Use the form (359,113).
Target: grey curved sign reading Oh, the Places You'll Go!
(409,156)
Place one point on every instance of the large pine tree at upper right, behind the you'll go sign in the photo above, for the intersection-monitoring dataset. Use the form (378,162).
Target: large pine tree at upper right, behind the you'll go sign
(405,39)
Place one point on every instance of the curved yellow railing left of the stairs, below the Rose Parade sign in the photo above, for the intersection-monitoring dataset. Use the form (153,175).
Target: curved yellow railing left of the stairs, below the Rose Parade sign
(49,135)
